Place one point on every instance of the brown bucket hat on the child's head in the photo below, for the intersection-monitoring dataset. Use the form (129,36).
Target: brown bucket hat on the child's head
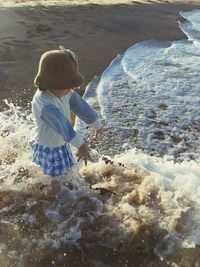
(58,70)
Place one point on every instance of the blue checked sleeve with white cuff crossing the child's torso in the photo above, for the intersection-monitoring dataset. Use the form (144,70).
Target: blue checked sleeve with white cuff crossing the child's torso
(60,124)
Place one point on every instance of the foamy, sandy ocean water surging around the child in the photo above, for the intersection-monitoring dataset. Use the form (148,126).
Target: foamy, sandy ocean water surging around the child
(138,202)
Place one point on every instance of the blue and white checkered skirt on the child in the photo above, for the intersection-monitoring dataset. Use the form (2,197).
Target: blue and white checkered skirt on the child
(53,161)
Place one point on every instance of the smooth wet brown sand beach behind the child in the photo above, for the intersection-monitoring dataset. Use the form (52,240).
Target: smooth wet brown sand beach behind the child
(95,30)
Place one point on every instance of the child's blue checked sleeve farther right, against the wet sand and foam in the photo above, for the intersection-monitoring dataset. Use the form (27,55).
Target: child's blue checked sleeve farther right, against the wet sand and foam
(84,111)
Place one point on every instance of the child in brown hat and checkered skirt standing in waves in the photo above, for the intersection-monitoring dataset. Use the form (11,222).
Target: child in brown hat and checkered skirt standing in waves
(57,80)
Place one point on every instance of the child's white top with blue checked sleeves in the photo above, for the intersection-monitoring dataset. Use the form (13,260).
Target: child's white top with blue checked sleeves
(49,133)
